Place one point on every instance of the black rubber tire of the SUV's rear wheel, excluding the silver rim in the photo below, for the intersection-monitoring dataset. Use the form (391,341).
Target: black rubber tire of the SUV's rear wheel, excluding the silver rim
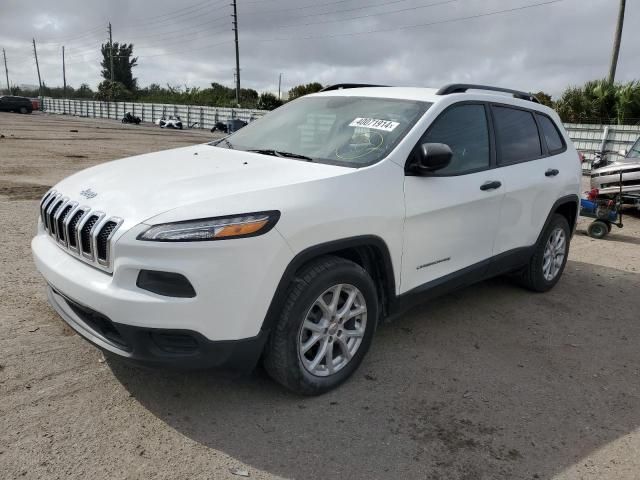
(532,276)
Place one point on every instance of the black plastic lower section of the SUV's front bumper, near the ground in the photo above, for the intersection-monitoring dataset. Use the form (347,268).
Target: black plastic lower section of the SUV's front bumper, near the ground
(155,347)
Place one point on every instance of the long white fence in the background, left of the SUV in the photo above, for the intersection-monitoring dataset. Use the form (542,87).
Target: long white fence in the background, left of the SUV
(192,116)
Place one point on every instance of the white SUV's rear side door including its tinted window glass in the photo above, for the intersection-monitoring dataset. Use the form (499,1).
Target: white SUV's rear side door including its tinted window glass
(527,144)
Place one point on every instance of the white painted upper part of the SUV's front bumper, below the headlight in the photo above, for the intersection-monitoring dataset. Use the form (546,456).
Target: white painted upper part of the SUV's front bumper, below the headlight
(234,283)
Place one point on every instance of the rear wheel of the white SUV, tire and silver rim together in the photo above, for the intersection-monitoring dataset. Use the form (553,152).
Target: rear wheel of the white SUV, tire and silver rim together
(550,257)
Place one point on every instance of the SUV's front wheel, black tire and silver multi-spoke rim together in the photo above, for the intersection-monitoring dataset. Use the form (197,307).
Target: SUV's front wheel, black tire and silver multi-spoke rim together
(325,327)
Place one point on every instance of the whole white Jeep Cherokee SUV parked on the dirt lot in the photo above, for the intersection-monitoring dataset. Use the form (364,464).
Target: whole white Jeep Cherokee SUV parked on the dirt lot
(290,240)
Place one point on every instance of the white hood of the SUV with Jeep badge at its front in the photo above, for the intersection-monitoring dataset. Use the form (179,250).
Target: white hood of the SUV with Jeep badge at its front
(138,188)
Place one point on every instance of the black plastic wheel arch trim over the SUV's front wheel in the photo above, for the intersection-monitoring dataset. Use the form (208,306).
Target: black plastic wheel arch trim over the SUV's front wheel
(368,251)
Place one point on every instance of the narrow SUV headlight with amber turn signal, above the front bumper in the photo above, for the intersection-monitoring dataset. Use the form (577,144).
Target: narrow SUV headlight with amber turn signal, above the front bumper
(218,228)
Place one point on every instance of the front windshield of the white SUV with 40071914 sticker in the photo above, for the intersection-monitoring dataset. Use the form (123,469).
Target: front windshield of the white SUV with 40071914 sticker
(350,131)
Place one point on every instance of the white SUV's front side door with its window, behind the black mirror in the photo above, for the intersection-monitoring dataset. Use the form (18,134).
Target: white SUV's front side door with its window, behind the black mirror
(452,215)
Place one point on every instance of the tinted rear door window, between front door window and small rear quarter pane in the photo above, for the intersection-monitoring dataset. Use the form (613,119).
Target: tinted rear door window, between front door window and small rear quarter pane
(517,135)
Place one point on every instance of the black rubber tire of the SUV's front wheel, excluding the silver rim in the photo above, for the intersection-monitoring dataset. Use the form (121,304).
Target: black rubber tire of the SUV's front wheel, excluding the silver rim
(282,359)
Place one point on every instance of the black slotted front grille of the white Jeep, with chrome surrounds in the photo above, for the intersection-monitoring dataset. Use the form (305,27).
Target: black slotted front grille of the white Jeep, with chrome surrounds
(78,229)
